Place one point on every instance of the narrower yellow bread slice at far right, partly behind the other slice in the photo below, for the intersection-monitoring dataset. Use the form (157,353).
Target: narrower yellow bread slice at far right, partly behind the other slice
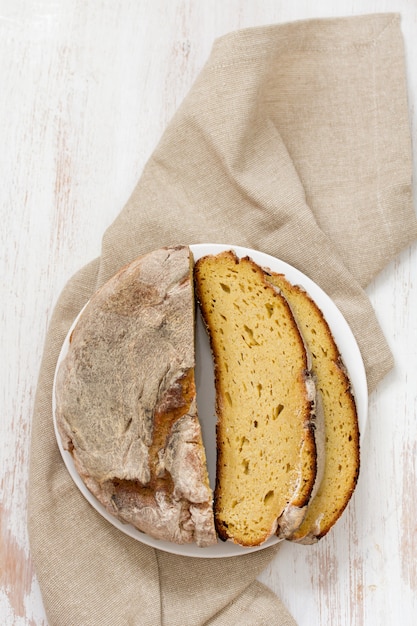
(341,465)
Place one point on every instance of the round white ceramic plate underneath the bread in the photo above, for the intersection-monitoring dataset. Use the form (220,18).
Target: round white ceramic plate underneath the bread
(205,395)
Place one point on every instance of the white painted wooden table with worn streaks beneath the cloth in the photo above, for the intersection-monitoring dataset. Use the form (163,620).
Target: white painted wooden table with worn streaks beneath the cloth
(86,90)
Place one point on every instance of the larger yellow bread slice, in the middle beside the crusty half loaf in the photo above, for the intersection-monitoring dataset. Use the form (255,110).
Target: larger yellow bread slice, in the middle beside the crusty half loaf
(266,456)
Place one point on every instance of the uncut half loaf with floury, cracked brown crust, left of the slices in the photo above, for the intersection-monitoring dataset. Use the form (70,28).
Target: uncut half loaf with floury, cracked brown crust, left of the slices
(126,400)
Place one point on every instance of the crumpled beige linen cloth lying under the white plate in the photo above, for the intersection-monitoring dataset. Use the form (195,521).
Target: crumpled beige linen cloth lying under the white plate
(294,140)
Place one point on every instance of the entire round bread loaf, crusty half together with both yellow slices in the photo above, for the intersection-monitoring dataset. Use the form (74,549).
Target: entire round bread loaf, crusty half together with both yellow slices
(126,403)
